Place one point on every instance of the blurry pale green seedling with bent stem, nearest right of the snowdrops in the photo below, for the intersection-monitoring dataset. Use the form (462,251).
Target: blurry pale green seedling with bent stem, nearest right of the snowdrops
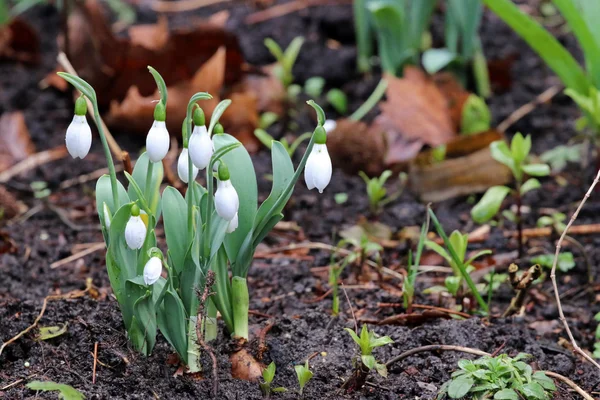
(360,251)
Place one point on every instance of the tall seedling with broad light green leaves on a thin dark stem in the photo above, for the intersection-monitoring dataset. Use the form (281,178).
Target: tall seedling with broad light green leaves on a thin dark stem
(517,159)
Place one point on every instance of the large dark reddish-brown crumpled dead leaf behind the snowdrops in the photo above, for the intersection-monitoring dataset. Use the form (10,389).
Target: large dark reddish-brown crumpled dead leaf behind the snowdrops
(113,64)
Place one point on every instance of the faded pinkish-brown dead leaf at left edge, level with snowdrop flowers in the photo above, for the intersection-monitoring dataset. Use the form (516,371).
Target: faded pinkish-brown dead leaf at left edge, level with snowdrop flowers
(17,144)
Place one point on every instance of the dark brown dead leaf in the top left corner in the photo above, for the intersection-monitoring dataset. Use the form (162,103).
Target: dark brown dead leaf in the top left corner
(19,42)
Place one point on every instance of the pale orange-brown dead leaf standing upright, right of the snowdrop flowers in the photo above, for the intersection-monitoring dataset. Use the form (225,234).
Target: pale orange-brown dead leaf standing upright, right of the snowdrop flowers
(415,113)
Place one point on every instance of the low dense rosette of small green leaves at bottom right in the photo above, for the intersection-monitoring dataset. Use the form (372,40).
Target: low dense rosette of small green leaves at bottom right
(500,377)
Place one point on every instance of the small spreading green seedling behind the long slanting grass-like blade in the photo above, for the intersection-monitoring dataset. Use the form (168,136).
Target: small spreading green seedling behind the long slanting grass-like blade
(458,242)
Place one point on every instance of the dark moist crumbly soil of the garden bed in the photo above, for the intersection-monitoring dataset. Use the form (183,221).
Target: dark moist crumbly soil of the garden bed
(282,287)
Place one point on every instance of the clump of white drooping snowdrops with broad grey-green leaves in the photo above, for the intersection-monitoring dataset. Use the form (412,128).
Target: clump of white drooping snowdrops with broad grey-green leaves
(208,229)
